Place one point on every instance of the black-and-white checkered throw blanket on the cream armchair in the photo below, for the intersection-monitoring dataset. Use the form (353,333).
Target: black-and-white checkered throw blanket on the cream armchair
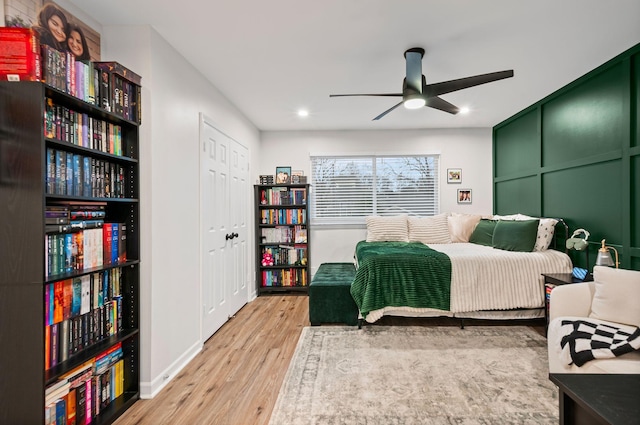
(584,341)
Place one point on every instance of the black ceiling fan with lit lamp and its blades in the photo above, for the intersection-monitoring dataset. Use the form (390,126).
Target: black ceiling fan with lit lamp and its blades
(416,93)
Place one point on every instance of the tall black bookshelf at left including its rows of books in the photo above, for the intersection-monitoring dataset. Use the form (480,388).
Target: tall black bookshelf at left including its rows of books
(38,260)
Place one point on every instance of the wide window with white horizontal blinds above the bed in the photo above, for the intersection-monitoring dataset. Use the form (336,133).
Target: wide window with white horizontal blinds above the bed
(348,188)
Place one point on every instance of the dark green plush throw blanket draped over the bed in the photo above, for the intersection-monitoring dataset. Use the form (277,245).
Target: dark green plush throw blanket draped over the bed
(399,274)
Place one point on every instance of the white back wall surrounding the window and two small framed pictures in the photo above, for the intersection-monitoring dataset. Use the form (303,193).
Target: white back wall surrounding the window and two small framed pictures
(469,149)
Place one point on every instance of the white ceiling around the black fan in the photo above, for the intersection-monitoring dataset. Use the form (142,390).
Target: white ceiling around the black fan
(270,58)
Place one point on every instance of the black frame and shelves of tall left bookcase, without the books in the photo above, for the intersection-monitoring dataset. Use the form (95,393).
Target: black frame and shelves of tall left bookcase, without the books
(24,277)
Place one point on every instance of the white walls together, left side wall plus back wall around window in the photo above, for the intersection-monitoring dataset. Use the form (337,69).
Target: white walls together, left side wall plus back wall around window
(173,95)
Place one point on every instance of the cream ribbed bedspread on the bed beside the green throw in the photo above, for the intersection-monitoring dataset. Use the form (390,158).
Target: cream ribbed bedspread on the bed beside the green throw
(484,278)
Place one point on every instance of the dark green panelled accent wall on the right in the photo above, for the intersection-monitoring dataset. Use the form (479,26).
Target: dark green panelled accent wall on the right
(576,155)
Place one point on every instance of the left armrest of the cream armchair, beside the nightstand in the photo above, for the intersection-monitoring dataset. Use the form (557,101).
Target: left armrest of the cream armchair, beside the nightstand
(571,300)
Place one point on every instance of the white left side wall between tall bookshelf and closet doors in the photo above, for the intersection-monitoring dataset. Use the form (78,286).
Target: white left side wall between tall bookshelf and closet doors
(173,95)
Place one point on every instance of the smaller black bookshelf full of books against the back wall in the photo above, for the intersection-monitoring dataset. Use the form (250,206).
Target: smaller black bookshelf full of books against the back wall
(282,230)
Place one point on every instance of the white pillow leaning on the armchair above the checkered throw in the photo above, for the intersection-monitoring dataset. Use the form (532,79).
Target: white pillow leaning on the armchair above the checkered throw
(617,295)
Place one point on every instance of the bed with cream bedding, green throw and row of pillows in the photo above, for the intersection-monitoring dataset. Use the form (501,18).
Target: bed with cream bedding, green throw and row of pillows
(442,268)
